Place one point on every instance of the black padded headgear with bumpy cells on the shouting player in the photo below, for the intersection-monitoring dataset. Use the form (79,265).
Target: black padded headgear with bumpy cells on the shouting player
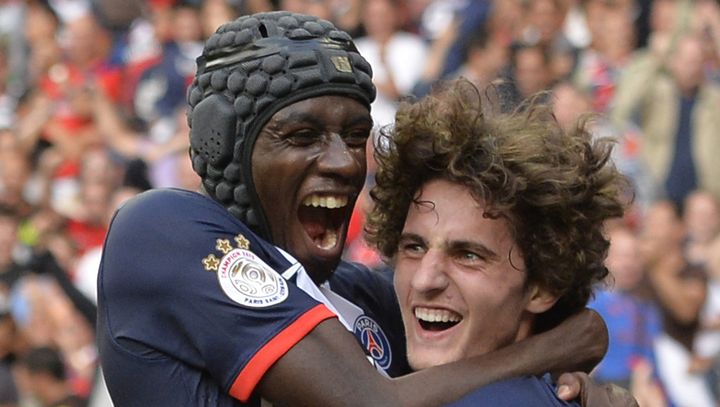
(250,69)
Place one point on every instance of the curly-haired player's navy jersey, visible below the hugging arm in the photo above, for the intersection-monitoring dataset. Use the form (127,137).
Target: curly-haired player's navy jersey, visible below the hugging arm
(522,391)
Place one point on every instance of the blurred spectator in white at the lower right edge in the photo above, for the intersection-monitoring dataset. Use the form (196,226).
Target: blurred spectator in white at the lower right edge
(679,289)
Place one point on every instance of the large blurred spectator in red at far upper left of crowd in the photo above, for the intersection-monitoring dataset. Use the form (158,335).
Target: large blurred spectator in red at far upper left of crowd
(59,125)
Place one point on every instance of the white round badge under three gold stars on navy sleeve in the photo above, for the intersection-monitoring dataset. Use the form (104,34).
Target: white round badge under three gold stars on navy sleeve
(244,277)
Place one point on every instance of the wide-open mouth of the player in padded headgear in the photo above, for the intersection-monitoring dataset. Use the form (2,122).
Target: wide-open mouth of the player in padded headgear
(322,217)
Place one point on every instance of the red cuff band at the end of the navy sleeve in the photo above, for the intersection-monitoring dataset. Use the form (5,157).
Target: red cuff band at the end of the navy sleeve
(250,376)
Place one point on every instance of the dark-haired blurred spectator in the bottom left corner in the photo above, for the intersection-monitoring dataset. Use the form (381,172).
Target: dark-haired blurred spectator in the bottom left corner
(45,378)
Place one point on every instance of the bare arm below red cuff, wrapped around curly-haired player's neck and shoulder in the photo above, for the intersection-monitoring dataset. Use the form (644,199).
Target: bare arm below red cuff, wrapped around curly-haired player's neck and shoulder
(328,368)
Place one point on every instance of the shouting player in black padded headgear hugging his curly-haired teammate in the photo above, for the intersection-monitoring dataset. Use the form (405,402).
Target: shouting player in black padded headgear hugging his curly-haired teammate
(238,293)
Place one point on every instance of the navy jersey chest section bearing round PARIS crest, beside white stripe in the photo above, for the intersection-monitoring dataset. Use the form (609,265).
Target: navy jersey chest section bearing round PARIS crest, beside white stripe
(380,329)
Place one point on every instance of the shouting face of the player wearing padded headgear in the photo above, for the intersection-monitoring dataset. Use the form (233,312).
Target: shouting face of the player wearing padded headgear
(309,168)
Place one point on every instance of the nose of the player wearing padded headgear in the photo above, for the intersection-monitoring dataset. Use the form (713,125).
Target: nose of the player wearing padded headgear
(337,159)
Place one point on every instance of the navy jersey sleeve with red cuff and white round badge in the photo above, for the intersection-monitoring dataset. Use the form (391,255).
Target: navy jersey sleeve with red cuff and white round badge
(181,278)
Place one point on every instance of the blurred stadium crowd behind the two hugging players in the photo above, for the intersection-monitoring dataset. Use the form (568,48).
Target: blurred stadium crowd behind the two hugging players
(92,112)
